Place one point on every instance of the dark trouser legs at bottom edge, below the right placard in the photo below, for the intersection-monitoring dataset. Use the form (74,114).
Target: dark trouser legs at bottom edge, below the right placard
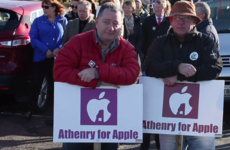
(146,141)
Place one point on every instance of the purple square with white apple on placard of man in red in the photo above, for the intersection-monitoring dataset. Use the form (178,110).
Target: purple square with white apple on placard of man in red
(98,106)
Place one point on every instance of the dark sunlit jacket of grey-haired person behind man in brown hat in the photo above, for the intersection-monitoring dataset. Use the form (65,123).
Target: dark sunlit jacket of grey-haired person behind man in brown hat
(208,28)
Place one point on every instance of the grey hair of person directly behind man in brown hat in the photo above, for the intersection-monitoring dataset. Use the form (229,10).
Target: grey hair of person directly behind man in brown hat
(203,8)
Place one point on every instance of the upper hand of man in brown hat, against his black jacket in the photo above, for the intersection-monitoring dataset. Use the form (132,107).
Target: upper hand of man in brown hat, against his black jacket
(187,70)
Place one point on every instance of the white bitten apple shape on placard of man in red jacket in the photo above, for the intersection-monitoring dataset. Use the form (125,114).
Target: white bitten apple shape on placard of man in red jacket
(100,104)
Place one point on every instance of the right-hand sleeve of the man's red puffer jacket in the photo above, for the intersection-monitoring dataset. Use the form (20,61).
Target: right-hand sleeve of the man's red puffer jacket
(126,73)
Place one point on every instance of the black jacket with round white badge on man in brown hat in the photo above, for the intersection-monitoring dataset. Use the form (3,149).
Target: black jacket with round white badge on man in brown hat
(167,52)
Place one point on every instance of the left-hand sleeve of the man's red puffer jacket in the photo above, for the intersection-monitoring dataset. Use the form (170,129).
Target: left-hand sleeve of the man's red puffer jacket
(67,63)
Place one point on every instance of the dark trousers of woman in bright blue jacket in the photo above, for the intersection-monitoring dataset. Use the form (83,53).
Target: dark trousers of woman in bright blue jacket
(39,72)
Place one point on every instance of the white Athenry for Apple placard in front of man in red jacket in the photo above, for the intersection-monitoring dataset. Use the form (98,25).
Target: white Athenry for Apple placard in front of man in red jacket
(100,115)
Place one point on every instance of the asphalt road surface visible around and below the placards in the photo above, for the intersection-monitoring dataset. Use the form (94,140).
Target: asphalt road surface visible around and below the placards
(16,133)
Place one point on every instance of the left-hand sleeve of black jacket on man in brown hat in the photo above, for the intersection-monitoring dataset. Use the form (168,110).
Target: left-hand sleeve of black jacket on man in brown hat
(155,66)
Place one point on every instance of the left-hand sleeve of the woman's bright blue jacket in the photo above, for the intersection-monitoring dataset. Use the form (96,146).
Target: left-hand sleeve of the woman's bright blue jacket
(34,36)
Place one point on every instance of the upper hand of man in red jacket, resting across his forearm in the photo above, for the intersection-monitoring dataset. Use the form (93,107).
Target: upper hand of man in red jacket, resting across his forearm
(87,74)
